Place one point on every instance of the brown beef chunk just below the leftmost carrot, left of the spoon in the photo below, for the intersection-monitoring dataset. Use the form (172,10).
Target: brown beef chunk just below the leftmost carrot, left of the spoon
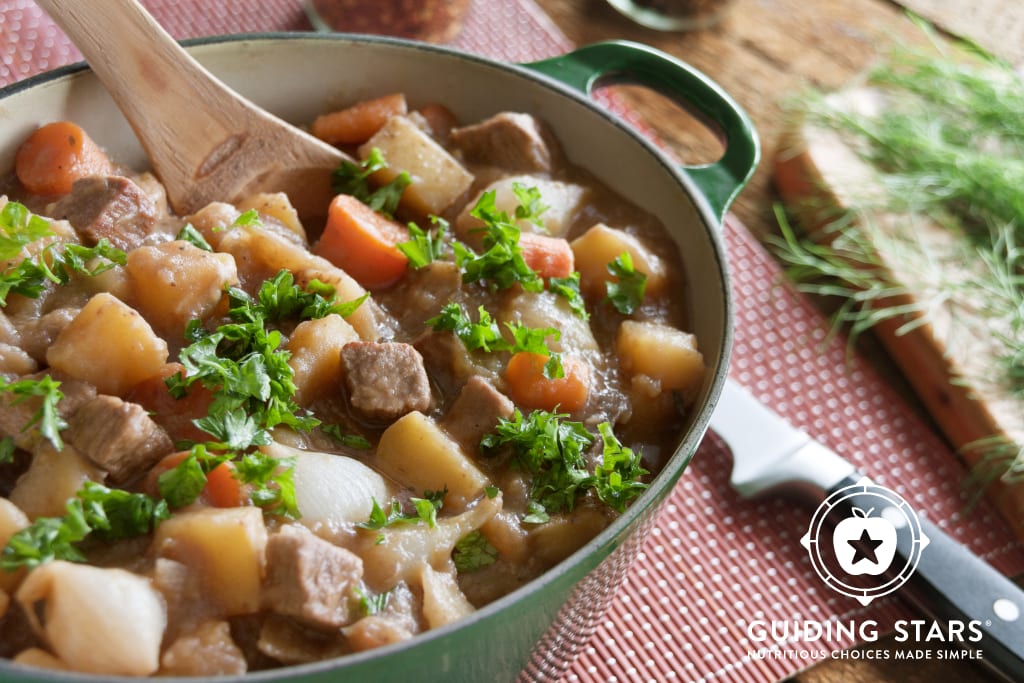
(109,206)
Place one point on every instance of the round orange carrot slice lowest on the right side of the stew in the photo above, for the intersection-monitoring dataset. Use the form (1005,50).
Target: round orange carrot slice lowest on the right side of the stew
(529,388)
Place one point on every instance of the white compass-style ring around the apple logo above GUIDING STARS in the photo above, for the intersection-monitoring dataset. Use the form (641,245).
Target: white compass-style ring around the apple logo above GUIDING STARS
(891,504)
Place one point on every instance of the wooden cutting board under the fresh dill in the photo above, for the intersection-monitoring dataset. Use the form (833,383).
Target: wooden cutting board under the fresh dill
(944,356)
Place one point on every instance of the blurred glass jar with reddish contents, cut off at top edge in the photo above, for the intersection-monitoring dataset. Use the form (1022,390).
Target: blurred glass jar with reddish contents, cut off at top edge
(431,21)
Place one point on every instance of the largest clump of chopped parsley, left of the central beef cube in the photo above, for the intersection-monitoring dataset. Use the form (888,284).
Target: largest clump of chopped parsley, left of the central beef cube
(243,365)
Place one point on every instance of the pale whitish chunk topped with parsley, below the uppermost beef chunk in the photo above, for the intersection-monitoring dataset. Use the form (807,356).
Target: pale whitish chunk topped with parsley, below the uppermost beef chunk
(564,201)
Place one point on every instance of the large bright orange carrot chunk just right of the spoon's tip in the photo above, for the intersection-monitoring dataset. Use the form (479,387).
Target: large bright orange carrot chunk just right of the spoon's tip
(363,243)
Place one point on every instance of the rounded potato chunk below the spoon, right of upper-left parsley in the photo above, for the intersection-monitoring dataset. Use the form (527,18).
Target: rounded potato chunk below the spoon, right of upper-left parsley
(177,282)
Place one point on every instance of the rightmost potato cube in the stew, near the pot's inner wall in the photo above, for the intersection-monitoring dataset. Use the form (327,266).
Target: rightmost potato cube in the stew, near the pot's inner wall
(662,353)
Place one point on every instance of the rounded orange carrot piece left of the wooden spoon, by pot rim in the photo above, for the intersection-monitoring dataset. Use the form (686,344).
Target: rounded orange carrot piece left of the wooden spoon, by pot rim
(57,155)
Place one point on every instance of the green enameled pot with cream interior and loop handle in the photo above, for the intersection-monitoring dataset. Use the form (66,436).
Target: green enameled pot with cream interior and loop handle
(536,632)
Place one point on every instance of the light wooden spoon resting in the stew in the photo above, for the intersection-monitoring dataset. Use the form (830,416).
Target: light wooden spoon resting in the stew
(205,142)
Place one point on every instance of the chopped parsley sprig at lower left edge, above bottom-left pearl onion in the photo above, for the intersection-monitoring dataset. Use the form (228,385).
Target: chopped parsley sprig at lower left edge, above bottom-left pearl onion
(108,514)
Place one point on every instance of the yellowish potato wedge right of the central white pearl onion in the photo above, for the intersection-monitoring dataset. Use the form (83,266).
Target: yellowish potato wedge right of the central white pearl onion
(417,453)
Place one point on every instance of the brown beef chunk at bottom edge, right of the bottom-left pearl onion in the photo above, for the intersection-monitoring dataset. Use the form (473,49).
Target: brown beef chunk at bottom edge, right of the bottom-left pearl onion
(208,651)
